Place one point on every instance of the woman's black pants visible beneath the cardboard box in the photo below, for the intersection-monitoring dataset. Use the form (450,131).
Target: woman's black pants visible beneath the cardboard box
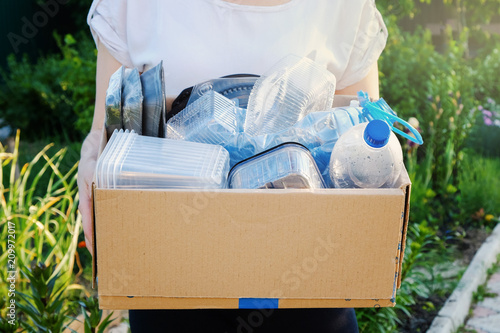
(244,321)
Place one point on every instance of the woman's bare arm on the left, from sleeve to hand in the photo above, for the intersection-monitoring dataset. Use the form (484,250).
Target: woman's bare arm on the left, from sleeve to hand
(106,66)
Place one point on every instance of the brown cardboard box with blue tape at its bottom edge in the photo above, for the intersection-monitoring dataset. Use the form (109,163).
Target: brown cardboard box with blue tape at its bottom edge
(182,249)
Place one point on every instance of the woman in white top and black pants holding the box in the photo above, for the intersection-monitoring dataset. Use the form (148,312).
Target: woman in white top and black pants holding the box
(199,40)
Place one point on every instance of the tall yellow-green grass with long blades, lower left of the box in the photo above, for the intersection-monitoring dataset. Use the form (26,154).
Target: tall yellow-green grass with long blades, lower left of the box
(42,230)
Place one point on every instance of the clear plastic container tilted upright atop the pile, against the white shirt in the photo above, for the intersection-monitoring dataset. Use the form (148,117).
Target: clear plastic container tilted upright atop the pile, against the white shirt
(286,93)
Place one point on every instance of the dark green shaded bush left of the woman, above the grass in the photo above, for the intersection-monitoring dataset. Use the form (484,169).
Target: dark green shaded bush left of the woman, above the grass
(53,96)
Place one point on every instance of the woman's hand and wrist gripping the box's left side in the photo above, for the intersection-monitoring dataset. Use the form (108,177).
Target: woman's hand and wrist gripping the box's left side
(86,169)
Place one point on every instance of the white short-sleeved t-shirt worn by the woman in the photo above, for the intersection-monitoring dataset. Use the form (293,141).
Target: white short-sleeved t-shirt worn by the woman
(200,40)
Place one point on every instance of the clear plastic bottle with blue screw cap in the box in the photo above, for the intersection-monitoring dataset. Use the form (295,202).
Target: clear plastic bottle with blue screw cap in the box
(368,155)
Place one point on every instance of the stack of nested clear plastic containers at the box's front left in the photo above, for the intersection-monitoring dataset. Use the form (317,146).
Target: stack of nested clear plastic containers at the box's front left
(134,161)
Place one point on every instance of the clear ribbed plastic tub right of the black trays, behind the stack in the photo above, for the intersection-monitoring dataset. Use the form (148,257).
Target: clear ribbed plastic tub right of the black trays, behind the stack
(210,119)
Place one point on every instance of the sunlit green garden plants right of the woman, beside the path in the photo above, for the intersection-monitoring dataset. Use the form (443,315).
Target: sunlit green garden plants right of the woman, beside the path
(448,82)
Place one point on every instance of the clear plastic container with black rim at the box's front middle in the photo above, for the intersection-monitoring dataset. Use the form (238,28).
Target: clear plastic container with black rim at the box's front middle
(289,165)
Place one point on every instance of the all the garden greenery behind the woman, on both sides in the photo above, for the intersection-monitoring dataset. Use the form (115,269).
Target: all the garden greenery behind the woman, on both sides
(440,67)
